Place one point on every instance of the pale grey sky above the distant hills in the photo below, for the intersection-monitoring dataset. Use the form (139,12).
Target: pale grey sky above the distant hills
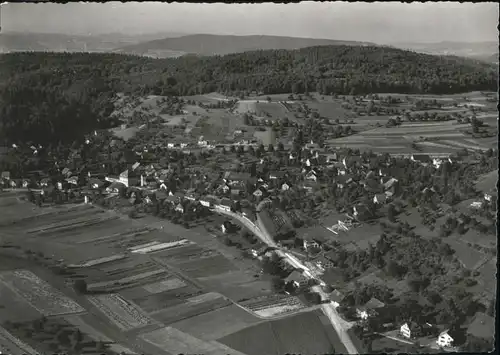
(374,22)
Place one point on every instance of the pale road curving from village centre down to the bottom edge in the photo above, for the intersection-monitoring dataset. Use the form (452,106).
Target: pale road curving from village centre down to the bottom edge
(328,309)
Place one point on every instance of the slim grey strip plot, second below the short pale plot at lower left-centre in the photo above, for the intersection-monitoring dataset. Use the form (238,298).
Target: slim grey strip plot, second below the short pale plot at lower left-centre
(189,309)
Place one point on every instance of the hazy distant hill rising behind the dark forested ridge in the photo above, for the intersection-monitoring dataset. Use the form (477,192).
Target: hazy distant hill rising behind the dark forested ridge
(205,44)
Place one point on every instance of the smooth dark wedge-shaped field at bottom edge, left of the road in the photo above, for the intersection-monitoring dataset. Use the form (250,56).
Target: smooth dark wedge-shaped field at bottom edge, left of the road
(300,334)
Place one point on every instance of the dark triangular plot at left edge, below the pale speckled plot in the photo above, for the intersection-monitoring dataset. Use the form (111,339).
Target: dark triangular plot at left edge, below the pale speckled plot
(15,308)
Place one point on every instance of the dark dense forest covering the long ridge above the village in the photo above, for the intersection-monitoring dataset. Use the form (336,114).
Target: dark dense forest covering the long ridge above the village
(55,97)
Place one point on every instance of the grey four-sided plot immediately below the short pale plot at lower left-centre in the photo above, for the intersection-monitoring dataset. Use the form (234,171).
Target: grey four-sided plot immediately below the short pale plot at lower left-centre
(158,301)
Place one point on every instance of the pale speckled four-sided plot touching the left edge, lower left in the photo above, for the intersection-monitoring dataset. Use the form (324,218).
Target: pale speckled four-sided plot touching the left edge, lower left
(42,296)
